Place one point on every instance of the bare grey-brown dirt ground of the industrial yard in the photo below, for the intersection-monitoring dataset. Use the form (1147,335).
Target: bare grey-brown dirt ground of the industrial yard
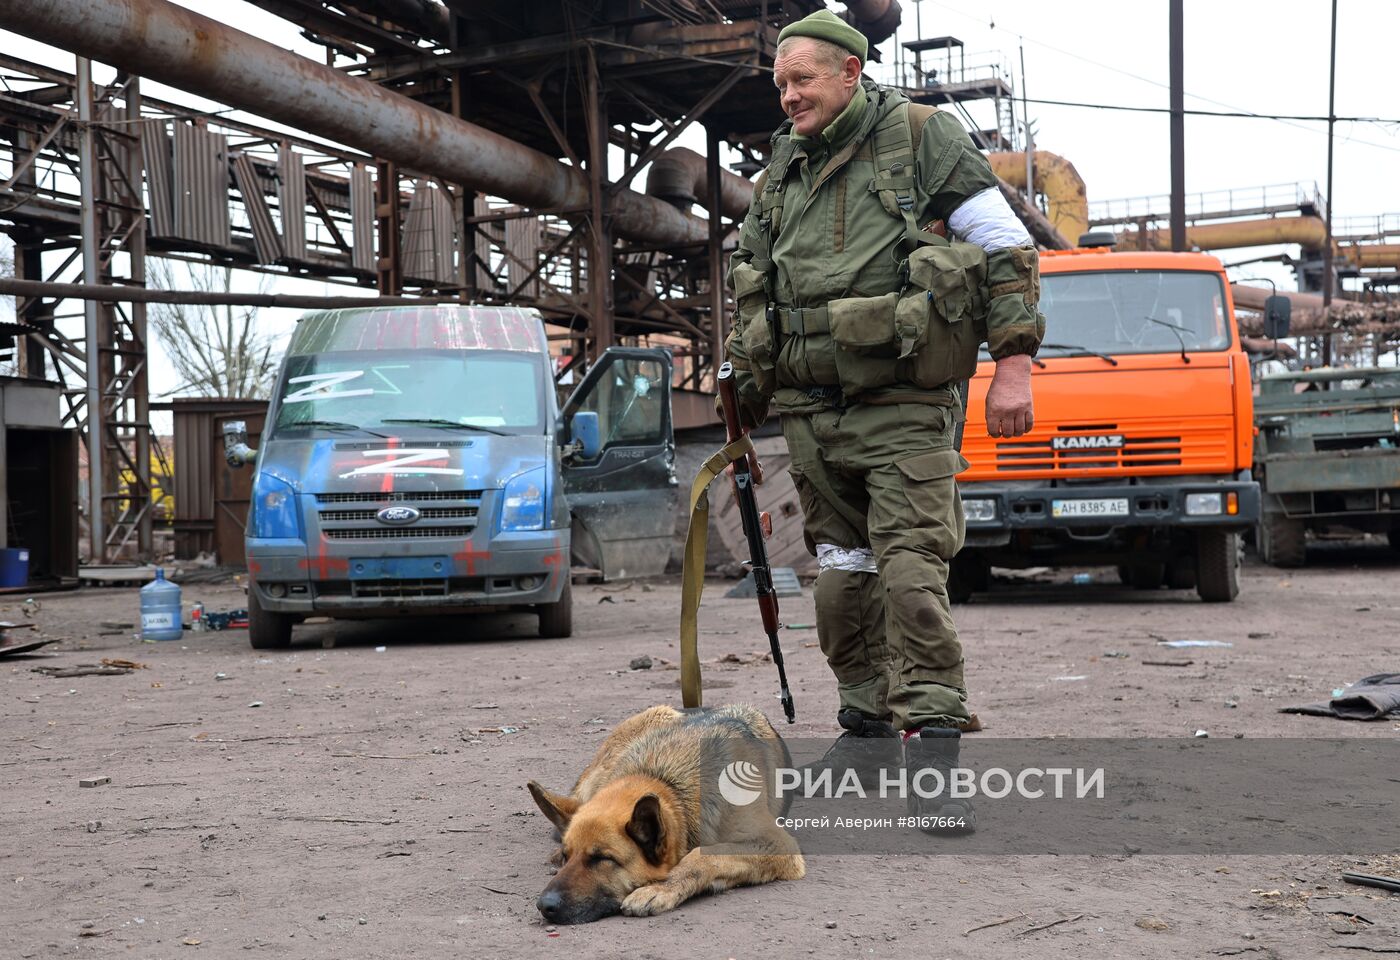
(363,796)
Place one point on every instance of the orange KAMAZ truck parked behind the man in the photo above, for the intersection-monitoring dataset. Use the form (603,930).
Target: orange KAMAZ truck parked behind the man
(1140,454)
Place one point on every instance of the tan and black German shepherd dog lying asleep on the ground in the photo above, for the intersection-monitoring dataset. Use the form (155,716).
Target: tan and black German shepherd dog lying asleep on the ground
(667,811)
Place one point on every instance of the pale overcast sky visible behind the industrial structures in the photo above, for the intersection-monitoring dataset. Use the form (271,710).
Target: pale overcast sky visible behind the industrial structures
(1256,57)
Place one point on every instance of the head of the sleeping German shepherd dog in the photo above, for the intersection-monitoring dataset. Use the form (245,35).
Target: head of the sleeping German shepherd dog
(622,839)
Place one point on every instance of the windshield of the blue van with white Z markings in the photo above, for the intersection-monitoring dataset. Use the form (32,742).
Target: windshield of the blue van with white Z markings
(499,393)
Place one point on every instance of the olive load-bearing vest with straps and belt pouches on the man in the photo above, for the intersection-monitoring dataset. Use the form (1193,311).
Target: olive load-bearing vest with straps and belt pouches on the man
(923,335)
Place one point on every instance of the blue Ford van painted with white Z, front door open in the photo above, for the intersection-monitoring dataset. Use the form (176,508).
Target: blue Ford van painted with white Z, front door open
(416,461)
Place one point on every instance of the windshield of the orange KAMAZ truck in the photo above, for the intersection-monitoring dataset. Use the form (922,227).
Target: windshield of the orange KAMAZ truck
(1129,313)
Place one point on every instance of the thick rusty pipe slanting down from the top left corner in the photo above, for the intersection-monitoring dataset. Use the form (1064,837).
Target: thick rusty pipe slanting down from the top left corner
(177,47)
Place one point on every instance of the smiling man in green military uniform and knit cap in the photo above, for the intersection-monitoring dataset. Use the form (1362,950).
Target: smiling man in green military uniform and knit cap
(859,325)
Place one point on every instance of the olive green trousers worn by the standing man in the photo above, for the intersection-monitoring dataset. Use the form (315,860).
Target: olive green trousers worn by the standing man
(881,478)
